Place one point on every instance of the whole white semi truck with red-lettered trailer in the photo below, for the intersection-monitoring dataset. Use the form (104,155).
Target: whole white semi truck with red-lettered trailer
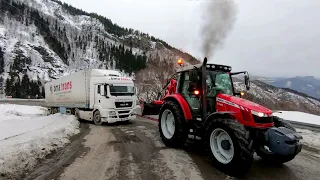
(94,95)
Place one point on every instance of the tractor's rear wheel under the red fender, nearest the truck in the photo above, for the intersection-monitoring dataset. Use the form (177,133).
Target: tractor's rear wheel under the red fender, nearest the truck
(172,125)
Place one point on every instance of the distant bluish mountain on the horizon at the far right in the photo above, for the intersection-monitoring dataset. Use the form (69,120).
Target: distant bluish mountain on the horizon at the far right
(309,85)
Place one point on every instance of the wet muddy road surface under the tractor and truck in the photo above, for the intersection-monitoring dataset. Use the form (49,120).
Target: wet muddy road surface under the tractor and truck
(135,151)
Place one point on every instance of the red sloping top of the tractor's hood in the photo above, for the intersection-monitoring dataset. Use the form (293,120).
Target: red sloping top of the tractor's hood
(242,103)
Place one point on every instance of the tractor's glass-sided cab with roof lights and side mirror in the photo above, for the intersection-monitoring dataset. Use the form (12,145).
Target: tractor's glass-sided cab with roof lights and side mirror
(200,84)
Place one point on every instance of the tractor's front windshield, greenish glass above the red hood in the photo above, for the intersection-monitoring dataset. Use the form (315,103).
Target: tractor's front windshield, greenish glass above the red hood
(218,81)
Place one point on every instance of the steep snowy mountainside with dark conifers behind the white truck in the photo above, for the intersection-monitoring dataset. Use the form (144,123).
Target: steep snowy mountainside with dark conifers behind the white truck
(51,39)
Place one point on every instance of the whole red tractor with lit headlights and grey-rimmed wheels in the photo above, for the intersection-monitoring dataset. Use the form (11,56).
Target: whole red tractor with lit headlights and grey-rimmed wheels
(201,100)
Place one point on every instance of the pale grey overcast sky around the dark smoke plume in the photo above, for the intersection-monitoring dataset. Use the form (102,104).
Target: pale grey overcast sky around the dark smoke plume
(269,38)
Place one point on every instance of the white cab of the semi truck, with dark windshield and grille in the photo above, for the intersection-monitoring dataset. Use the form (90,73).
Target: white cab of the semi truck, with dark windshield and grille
(115,98)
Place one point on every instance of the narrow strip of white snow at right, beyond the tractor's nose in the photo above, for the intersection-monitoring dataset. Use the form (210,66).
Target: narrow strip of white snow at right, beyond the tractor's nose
(299,117)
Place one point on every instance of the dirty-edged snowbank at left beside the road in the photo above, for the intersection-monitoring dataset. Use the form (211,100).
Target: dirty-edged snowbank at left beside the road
(28,135)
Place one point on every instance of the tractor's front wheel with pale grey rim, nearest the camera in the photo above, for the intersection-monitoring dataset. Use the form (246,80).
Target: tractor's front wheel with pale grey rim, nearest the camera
(229,144)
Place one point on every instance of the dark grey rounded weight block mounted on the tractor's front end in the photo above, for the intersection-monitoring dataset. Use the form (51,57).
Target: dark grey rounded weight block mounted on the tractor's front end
(283,141)
